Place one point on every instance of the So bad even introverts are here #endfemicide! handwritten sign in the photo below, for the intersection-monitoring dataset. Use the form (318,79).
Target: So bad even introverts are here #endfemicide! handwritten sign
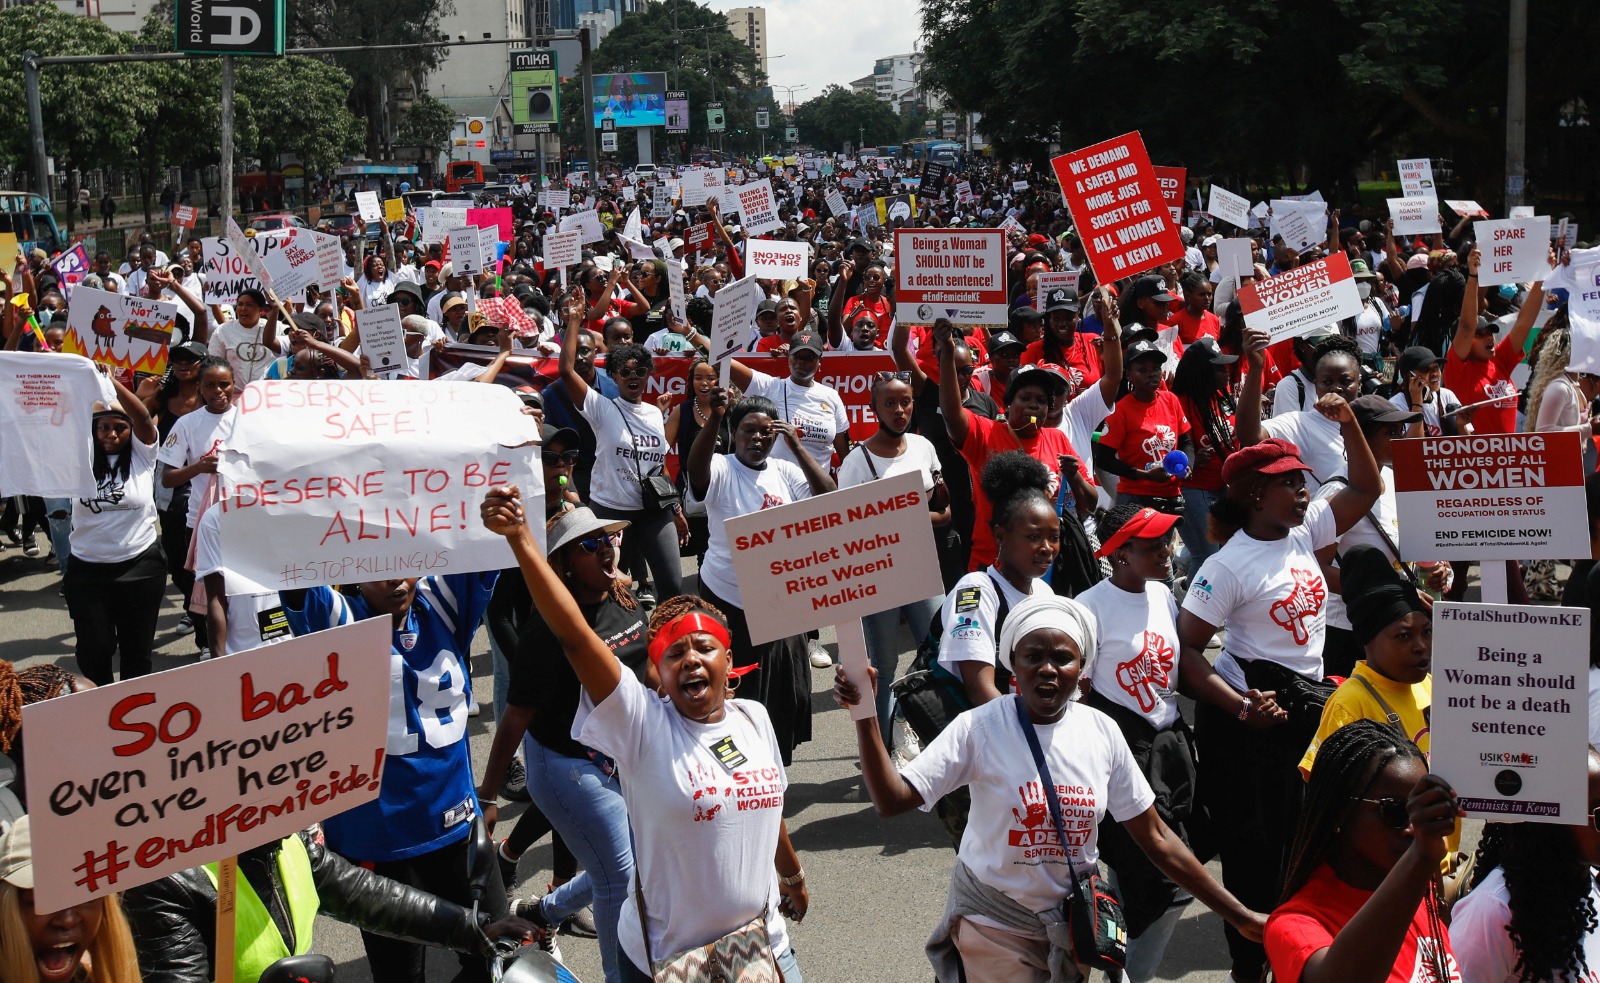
(153,776)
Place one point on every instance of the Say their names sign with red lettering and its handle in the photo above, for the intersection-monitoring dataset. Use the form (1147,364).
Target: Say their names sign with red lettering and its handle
(836,560)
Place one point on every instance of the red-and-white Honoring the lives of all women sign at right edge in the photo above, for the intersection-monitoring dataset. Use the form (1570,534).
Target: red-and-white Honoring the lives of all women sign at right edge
(1492,497)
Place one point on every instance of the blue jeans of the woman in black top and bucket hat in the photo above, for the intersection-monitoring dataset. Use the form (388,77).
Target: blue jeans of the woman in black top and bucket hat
(586,808)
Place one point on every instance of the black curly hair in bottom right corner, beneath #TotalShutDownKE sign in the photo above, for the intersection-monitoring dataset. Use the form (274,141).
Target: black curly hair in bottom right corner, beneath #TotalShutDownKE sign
(1548,885)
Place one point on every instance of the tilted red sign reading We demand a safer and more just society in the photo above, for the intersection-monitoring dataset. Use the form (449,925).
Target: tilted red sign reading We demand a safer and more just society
(1118,207)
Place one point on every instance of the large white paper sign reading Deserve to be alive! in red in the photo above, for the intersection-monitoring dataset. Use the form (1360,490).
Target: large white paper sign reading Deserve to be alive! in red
(332,483)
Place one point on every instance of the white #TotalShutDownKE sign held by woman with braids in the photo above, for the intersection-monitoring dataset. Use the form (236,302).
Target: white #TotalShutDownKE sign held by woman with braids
(1511,710)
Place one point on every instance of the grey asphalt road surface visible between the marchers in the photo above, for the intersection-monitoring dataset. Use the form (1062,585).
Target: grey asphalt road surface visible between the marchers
(878,886)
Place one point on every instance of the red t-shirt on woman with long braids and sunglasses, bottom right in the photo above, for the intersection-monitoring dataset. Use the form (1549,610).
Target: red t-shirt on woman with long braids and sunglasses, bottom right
(1321,910)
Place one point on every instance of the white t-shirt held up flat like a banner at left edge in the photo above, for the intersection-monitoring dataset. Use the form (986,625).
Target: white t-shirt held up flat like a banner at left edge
(47,425)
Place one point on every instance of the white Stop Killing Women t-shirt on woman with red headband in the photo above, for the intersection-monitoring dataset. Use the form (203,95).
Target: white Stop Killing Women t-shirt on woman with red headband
(705,833)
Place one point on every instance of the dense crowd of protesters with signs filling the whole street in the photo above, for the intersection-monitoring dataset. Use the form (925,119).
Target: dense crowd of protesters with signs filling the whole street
(1212,560)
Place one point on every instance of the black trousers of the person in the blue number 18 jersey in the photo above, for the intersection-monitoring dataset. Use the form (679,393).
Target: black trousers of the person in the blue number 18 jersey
(442,873)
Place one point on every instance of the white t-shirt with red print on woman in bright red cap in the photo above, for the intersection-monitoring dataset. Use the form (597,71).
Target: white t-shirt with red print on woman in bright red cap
(1137,662)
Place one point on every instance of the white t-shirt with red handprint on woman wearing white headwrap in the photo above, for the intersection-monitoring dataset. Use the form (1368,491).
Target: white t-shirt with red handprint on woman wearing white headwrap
(1010,840)
